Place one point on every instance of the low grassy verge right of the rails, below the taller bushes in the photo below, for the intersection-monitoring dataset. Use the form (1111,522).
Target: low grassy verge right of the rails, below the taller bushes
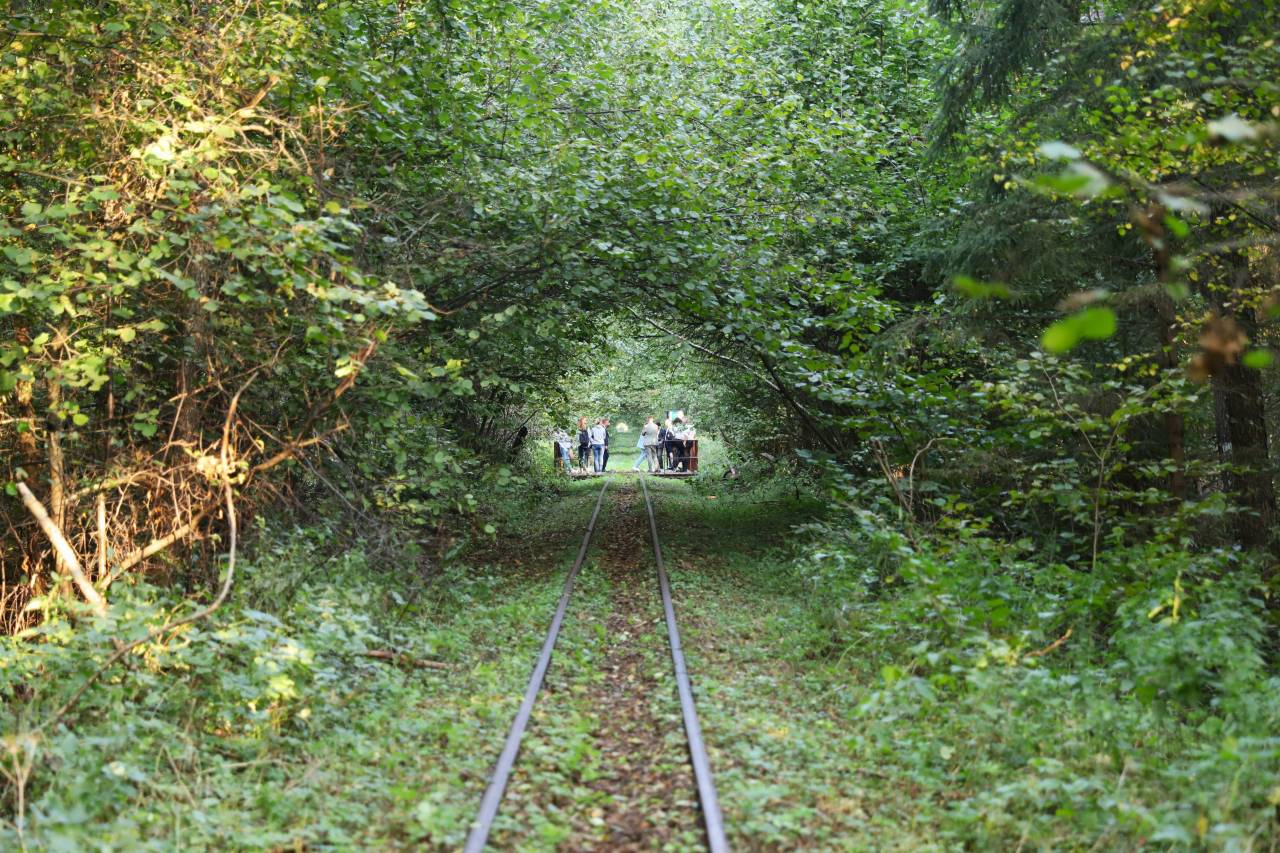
(911,733)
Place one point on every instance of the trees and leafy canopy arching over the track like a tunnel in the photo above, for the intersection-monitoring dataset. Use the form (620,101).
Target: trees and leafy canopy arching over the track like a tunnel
(394,227)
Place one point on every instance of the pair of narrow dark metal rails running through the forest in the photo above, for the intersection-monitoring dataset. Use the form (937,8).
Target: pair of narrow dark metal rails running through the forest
(698,760)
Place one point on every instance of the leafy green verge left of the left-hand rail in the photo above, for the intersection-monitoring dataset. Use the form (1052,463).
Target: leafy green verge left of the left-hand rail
(272,728)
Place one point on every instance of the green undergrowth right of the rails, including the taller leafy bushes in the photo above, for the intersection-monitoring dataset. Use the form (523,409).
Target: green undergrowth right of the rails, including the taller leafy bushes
(899,692)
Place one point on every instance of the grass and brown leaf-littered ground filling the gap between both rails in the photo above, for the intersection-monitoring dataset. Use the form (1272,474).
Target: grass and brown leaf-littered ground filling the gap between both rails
(605,763)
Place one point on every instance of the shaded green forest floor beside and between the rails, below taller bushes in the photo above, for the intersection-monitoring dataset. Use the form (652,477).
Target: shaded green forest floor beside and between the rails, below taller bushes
(286,736)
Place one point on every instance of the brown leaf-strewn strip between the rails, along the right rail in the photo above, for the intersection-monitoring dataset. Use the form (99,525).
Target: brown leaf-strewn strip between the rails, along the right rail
(650,791)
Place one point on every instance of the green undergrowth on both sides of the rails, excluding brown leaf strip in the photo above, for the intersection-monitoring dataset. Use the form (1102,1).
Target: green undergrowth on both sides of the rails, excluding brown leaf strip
(862,686)
